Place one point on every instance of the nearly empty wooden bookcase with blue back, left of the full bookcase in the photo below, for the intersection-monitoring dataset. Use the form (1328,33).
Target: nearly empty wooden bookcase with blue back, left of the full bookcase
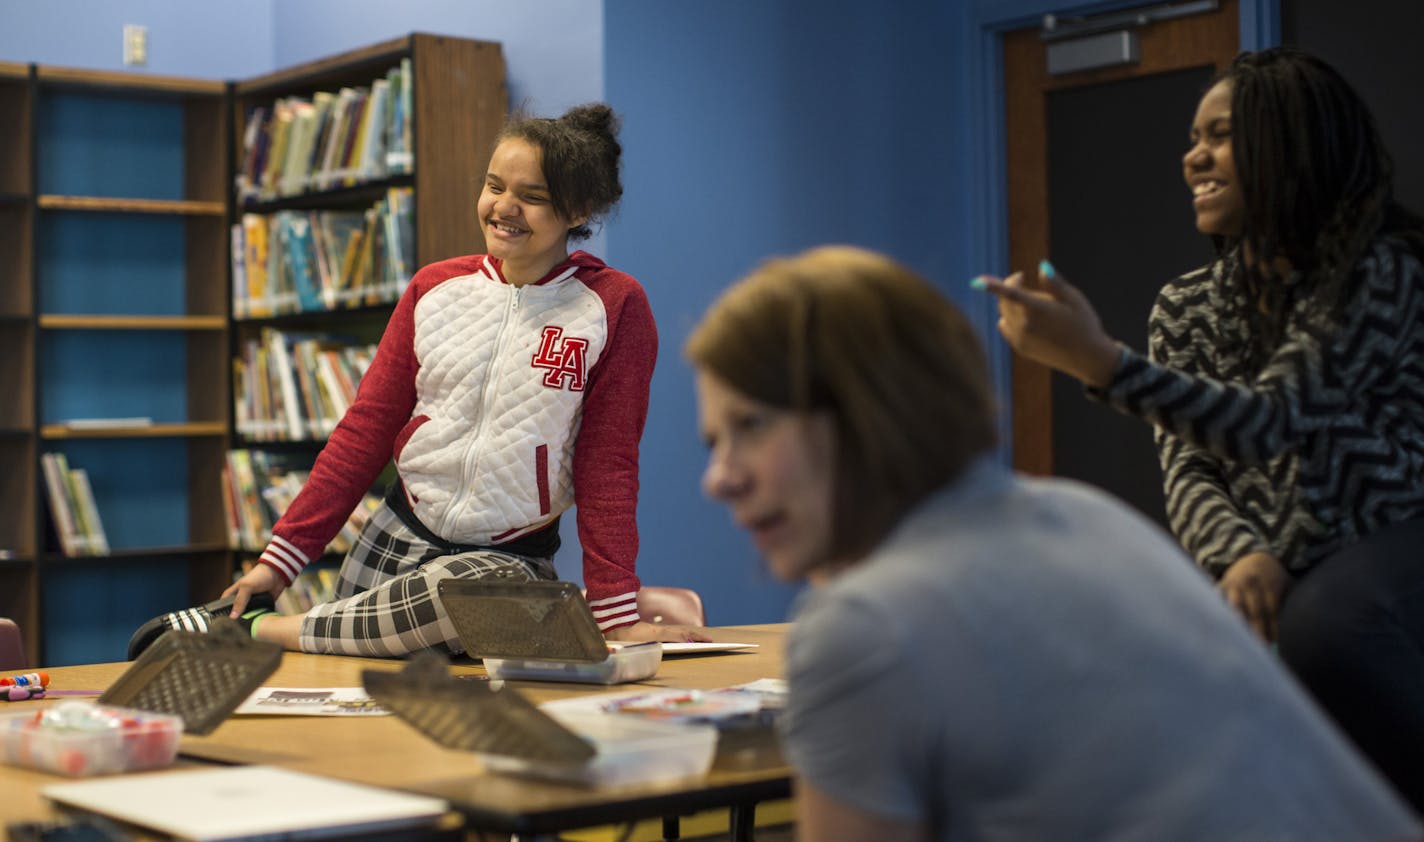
(127,347)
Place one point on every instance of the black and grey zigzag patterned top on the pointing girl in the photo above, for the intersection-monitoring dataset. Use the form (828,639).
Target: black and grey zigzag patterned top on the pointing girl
(1316,449)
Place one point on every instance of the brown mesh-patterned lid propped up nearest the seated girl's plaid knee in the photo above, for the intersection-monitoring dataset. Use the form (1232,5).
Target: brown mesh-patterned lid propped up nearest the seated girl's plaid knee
(525,620)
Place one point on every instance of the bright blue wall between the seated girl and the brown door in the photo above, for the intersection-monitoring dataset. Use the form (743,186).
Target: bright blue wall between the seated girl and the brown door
(757,129)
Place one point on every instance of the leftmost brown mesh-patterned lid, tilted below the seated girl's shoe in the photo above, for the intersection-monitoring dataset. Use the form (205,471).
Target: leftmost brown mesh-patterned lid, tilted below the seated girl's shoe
(201,677)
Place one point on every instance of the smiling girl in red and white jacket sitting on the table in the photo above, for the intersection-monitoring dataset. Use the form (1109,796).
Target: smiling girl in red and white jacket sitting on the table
(508,388)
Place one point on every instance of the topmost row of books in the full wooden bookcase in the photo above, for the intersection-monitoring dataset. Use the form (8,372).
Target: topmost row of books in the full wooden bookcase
(333,140)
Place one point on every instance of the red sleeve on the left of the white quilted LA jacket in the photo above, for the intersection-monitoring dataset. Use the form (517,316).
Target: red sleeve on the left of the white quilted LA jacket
(358,449)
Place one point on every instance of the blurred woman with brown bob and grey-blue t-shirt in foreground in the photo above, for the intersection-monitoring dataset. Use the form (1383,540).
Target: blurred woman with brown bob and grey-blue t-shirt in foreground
(985,655)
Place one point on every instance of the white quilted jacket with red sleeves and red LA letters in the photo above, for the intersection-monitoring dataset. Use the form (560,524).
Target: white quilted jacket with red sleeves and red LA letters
(502,407)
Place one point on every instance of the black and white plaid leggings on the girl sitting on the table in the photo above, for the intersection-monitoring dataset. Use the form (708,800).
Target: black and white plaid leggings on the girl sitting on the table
(385,603)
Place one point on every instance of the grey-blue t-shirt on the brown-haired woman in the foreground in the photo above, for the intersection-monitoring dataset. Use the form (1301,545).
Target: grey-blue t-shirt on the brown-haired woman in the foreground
(1033,660)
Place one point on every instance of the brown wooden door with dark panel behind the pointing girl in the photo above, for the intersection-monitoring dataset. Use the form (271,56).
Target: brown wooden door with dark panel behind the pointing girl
(1096,186)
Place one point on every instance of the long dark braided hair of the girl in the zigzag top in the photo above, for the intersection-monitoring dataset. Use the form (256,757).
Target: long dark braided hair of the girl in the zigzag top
(1318,184)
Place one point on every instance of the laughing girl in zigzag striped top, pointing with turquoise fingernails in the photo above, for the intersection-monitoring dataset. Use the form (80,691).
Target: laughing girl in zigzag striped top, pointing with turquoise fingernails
(1285,384)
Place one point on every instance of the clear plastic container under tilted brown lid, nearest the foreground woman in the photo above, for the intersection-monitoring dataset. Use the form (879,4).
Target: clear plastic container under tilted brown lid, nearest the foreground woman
(630,752)
